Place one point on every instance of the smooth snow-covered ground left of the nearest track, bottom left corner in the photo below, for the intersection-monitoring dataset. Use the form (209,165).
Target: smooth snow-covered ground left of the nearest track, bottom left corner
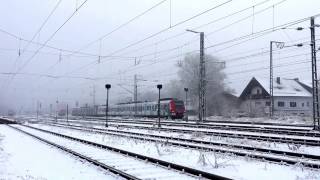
(23,157)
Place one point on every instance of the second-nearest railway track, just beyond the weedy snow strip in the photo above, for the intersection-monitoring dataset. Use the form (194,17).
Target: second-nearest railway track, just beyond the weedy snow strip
(275,156)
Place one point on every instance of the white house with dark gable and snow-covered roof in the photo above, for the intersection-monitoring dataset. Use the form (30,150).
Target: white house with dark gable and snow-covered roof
(290,97)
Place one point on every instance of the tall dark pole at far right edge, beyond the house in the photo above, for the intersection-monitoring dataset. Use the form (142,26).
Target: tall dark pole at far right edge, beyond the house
(315,92)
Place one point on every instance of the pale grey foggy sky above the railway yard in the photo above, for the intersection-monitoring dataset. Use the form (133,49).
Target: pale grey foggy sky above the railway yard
(72,57)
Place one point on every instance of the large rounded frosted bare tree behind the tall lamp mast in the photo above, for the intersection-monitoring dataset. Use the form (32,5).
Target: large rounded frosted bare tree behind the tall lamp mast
(215,88)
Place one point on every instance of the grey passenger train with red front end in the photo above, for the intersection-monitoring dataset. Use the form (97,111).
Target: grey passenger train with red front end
(169,108)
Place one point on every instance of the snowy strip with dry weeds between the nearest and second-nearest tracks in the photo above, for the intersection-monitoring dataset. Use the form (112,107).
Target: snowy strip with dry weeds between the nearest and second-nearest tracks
(222,164)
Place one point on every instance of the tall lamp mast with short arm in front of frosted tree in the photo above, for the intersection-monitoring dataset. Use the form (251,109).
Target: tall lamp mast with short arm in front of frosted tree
(202,77)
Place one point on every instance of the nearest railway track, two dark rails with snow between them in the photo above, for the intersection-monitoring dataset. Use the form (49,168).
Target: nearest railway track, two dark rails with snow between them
(124,163)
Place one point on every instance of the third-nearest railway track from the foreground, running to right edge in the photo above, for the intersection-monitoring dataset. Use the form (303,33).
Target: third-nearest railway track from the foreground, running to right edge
(302,140)
